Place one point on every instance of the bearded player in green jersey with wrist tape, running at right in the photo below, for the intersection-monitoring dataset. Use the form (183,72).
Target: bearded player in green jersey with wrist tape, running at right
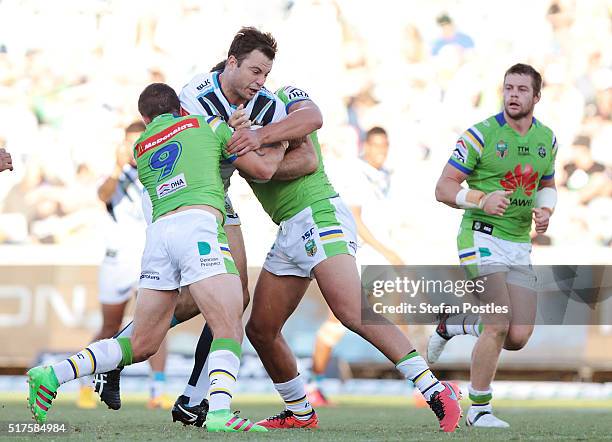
(508,161)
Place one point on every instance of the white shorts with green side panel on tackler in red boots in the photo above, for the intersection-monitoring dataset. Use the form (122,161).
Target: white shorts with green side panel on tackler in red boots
(318,232)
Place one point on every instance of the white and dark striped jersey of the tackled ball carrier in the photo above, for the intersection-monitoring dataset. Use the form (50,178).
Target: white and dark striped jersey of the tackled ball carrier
(203,96)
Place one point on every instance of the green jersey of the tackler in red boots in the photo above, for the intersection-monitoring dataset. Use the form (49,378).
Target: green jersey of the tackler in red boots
(284,199)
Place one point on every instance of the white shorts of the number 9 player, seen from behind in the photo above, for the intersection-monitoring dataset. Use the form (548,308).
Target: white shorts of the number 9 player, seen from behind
(184,248)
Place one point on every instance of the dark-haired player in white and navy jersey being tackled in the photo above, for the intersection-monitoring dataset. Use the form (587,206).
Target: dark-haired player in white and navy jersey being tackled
(234,91)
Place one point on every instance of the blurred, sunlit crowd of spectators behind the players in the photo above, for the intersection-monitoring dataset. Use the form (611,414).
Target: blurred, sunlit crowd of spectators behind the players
(425,71)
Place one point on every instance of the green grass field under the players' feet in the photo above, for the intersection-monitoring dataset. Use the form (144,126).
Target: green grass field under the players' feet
(353,419)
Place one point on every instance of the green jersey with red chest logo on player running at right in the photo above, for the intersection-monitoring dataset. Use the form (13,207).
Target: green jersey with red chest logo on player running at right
(496,157)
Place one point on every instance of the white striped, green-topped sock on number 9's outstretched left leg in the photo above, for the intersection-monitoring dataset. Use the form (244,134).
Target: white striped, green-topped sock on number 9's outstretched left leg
(98,357)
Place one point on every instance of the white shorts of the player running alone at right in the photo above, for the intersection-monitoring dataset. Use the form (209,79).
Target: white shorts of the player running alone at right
(483,254)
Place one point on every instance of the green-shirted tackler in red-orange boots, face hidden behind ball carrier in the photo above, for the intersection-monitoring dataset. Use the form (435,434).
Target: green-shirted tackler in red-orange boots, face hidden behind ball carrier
(317,238)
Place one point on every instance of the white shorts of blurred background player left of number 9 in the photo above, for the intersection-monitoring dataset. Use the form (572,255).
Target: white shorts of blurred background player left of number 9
(118,275)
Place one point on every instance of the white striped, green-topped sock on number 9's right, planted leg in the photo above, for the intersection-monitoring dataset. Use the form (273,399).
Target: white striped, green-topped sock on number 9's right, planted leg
(223,366)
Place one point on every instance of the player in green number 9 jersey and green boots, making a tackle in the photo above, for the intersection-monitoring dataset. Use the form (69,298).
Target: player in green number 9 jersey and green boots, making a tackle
(178,164)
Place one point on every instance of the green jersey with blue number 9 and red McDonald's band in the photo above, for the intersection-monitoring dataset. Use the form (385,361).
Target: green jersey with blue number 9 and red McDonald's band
(178,161)
